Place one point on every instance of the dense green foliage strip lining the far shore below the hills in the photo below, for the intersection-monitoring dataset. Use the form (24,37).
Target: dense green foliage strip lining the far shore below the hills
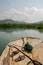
(38,26)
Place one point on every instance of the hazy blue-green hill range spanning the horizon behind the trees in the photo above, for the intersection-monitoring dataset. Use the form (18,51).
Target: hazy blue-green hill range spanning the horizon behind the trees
(10,21)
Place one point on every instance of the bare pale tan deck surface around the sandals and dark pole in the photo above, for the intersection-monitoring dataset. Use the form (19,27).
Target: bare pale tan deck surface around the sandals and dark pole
(38,49)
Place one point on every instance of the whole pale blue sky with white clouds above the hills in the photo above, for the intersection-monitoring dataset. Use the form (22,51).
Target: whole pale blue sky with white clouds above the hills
(30,11)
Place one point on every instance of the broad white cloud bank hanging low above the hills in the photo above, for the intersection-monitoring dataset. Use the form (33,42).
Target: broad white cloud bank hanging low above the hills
(27,14)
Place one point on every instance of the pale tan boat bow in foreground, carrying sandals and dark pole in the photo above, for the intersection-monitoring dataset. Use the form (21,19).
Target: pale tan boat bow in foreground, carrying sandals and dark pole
(13,53)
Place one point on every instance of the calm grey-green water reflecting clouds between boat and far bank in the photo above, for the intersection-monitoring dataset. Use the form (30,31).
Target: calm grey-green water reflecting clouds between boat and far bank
(7,36)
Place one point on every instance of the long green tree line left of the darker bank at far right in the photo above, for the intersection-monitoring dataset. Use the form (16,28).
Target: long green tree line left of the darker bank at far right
(16,26)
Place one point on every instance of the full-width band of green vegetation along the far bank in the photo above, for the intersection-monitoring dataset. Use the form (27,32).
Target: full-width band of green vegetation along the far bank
(22,26)
